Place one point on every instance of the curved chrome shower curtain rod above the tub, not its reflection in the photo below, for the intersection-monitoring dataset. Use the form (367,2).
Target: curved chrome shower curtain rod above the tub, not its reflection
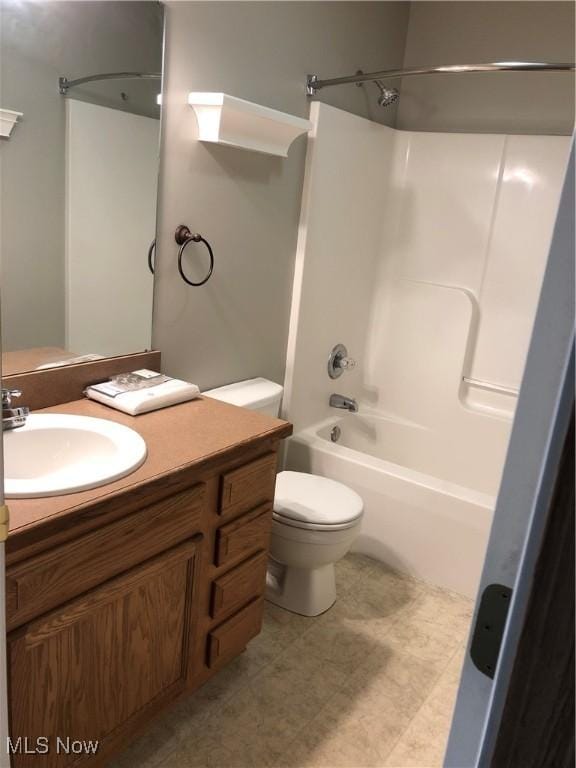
(314,84)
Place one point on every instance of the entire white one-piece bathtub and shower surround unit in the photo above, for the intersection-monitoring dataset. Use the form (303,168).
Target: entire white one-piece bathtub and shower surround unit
(444,239)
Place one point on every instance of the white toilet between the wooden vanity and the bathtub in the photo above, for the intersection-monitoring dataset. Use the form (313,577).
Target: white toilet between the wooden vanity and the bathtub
(315,519)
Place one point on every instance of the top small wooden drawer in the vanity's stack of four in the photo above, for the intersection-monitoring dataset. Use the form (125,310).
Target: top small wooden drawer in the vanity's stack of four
(248,486)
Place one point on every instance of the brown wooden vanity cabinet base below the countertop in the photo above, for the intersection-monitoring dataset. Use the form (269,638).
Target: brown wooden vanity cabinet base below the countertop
(108,627)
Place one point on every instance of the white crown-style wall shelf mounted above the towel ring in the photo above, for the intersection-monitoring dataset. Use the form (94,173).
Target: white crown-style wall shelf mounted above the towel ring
(224,119)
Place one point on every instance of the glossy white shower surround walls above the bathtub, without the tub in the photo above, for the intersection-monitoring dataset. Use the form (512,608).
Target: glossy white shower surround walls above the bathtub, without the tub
(426,260)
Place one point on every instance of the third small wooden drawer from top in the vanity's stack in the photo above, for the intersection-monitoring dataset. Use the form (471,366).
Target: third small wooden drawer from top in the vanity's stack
(235,588)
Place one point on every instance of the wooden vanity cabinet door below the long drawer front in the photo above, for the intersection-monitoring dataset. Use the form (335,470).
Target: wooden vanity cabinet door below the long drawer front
(88,669)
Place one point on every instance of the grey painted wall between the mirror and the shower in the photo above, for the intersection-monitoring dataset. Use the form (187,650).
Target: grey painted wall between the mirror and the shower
(246,204)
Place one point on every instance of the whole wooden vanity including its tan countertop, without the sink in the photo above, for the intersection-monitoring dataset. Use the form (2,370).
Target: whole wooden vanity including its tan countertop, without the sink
(122,598)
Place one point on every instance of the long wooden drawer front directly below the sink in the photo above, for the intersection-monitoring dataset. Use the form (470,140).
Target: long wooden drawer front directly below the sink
(50,579)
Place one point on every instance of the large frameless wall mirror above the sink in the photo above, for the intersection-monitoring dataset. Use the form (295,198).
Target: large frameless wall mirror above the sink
(79,178)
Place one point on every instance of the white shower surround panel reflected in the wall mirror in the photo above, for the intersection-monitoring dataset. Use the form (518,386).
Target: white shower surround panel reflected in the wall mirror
(111,174)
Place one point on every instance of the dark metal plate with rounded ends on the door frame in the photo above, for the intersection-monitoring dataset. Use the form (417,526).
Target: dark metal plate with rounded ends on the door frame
(490,623)
